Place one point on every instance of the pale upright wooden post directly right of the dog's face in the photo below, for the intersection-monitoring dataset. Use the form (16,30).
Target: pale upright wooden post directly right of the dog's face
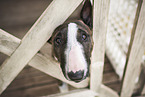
(100,18)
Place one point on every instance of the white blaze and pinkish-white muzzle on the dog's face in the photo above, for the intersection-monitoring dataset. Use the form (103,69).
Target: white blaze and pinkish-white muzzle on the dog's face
(75,59)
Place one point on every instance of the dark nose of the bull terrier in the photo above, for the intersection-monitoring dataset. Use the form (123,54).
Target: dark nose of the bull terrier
(77,76)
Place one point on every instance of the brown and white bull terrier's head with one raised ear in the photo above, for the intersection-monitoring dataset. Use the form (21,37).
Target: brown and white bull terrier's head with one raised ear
(72,45)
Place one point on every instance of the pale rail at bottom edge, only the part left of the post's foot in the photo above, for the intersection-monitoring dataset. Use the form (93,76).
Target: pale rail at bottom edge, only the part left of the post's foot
(76,93)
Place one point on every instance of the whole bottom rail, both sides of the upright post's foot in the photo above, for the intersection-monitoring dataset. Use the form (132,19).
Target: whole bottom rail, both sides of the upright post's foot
(104,92)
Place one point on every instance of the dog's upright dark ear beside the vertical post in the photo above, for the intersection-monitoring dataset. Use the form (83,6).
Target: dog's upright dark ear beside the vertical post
(86,13)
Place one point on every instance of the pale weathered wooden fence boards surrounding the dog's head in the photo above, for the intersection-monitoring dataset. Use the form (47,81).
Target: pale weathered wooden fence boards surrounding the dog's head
(23,52)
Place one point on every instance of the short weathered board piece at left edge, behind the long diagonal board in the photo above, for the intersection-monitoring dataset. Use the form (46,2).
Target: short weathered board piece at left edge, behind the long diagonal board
(8,43)
